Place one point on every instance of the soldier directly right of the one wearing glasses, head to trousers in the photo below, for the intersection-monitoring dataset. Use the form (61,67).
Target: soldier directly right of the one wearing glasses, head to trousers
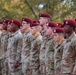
(35,49)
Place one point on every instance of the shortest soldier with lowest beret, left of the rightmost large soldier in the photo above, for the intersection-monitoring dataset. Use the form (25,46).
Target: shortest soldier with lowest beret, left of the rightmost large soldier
(58,49)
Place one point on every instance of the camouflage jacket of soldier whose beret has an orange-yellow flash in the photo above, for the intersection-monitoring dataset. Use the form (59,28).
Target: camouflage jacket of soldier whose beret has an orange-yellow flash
(14,47)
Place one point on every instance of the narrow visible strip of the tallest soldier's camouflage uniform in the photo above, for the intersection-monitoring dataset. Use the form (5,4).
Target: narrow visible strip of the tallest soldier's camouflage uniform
(42,53)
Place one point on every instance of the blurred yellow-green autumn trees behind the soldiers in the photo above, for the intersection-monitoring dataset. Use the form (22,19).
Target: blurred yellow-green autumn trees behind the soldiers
(58,9)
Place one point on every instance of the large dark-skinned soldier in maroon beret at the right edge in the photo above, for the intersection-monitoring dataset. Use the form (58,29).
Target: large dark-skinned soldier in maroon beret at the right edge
(69,51)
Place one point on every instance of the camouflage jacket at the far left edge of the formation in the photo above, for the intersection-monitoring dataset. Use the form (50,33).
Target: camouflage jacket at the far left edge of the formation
(3,44)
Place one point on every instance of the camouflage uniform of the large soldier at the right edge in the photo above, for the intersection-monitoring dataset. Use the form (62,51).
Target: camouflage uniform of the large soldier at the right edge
(69,55)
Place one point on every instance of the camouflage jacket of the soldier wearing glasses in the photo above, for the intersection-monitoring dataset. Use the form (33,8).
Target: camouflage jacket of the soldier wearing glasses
(26,47)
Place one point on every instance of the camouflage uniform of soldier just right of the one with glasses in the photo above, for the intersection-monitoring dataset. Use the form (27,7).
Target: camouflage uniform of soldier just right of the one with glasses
(34,55)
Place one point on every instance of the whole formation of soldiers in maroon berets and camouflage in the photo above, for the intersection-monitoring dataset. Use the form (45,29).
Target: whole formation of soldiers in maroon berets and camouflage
(37,47)
